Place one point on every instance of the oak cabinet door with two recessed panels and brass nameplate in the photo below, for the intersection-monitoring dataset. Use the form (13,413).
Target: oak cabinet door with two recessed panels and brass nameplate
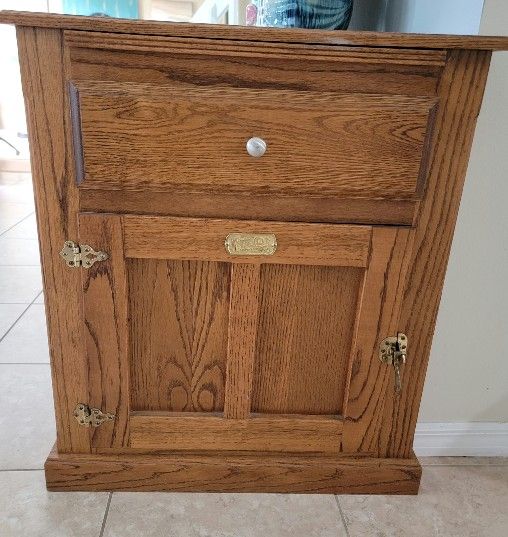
(239,335)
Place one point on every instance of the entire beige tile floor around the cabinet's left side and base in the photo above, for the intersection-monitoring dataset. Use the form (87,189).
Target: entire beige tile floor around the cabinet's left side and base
(459,496)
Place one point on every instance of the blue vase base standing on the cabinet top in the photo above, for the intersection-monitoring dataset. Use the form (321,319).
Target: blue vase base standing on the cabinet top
(318,14)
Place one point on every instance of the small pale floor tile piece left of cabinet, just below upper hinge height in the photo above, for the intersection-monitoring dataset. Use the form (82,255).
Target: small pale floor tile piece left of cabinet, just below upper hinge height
(19,285)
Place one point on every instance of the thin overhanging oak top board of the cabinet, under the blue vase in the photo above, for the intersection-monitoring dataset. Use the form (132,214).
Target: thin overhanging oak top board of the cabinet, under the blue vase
(246,33)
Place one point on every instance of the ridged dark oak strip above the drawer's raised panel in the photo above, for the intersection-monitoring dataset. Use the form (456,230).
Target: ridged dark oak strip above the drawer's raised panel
(198,63)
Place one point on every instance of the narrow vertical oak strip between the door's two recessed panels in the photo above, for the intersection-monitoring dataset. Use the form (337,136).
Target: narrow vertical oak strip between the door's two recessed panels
(242,331)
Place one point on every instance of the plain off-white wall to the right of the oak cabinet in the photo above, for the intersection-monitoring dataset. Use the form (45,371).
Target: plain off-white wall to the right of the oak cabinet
(467,379)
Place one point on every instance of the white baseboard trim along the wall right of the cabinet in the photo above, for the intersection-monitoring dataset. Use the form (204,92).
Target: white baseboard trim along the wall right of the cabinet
(461,439)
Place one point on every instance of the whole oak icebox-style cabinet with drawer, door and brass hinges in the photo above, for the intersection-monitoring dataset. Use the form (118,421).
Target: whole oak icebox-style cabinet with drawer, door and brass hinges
(224,322)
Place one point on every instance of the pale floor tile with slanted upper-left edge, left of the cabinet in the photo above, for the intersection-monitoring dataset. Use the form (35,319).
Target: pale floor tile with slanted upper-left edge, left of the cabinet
(27,342)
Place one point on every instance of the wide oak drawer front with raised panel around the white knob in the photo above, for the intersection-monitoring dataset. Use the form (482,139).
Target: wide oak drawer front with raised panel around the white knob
(166,121)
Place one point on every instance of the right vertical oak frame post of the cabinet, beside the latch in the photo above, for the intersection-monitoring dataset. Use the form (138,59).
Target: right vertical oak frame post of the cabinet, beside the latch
(461,91)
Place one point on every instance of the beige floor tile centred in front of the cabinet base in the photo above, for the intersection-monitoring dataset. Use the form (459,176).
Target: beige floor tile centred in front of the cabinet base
(223,515)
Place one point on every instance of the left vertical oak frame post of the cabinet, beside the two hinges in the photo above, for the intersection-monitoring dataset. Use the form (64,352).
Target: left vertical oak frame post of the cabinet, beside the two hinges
(42,63)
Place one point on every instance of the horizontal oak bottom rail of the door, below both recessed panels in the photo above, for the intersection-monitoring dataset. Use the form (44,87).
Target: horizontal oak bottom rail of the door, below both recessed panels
(194,432)
